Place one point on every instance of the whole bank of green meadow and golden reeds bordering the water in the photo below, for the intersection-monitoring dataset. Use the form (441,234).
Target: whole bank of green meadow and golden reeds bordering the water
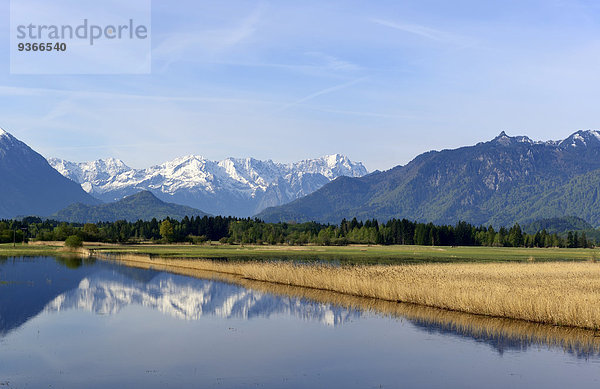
(492,282)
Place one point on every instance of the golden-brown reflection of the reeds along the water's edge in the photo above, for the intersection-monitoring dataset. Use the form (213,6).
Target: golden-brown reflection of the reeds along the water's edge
(571,339)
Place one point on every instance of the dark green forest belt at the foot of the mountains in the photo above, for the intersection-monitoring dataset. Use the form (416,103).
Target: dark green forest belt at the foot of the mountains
(197,230)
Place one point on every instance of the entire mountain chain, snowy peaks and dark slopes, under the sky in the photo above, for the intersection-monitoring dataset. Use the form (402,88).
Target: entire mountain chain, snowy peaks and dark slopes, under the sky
(502,181)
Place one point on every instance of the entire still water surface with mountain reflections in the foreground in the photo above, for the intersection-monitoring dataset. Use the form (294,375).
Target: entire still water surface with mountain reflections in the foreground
(97,324)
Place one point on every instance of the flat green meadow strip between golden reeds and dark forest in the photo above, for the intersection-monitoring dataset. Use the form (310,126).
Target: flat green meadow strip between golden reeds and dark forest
(360,254)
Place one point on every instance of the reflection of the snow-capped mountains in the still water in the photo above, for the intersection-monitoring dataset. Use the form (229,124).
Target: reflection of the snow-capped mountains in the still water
(107,292)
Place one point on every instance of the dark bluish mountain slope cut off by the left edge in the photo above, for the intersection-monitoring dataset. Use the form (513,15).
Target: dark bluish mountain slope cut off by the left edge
(29,185)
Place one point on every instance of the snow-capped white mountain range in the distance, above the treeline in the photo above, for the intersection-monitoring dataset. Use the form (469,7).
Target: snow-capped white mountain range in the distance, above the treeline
(239,187)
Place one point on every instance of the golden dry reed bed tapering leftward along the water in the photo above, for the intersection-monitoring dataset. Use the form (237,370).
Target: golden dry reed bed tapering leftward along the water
(556,293)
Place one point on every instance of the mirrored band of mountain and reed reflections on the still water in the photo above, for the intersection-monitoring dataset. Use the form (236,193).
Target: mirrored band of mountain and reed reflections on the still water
(31,286)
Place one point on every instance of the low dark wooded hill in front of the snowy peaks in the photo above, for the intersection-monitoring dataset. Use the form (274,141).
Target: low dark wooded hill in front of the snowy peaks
(140,206)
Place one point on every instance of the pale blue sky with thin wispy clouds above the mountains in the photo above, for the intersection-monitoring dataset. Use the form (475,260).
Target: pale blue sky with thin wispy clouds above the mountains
(379,81)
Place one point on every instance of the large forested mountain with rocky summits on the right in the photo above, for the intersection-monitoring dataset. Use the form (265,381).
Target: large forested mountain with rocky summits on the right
(499,182)
